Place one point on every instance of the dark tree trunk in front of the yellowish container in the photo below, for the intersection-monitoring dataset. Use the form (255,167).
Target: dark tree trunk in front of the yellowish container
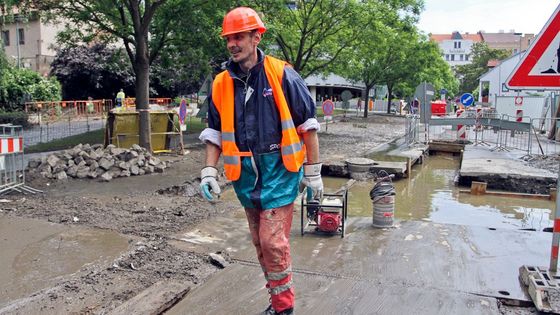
(142,69)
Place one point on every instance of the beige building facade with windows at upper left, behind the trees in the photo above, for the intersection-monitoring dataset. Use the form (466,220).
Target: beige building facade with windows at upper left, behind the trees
(30,41)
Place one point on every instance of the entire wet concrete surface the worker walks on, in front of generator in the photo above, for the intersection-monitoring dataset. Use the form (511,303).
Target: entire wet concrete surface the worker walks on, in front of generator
(436,261)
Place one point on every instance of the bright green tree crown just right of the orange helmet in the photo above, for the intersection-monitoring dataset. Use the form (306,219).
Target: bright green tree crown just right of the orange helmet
(311,35)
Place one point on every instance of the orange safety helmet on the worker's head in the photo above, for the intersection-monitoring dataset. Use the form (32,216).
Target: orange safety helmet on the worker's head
(242,19)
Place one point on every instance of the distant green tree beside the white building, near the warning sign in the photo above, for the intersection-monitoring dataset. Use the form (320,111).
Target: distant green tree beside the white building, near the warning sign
(469,74)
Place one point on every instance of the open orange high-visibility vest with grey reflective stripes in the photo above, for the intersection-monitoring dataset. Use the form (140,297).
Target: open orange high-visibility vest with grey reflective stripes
(291,146)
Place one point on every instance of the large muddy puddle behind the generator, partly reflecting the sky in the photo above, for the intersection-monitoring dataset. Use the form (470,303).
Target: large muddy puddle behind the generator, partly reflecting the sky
(430,194)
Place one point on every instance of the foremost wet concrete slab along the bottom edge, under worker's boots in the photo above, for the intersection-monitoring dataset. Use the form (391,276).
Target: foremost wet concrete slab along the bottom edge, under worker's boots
(239,289)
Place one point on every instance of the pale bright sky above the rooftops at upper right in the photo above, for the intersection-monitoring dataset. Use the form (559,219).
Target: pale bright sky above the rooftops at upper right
(491,16)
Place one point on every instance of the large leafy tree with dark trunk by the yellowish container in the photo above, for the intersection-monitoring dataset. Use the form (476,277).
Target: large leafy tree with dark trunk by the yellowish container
(169,30)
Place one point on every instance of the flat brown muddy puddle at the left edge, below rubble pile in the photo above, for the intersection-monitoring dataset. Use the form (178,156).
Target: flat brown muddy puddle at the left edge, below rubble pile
(35,254)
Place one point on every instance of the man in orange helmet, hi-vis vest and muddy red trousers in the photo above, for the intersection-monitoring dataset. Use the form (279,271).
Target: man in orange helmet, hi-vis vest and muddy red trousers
(261,118)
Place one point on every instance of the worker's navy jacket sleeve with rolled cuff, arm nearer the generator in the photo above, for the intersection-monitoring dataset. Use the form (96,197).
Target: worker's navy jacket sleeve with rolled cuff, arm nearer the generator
(300,102)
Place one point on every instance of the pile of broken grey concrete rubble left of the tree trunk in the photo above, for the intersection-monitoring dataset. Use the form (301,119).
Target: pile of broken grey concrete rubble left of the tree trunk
(94,161)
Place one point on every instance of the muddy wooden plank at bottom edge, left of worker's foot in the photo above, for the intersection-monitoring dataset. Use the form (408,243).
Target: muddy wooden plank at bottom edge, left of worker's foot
(155,300)
